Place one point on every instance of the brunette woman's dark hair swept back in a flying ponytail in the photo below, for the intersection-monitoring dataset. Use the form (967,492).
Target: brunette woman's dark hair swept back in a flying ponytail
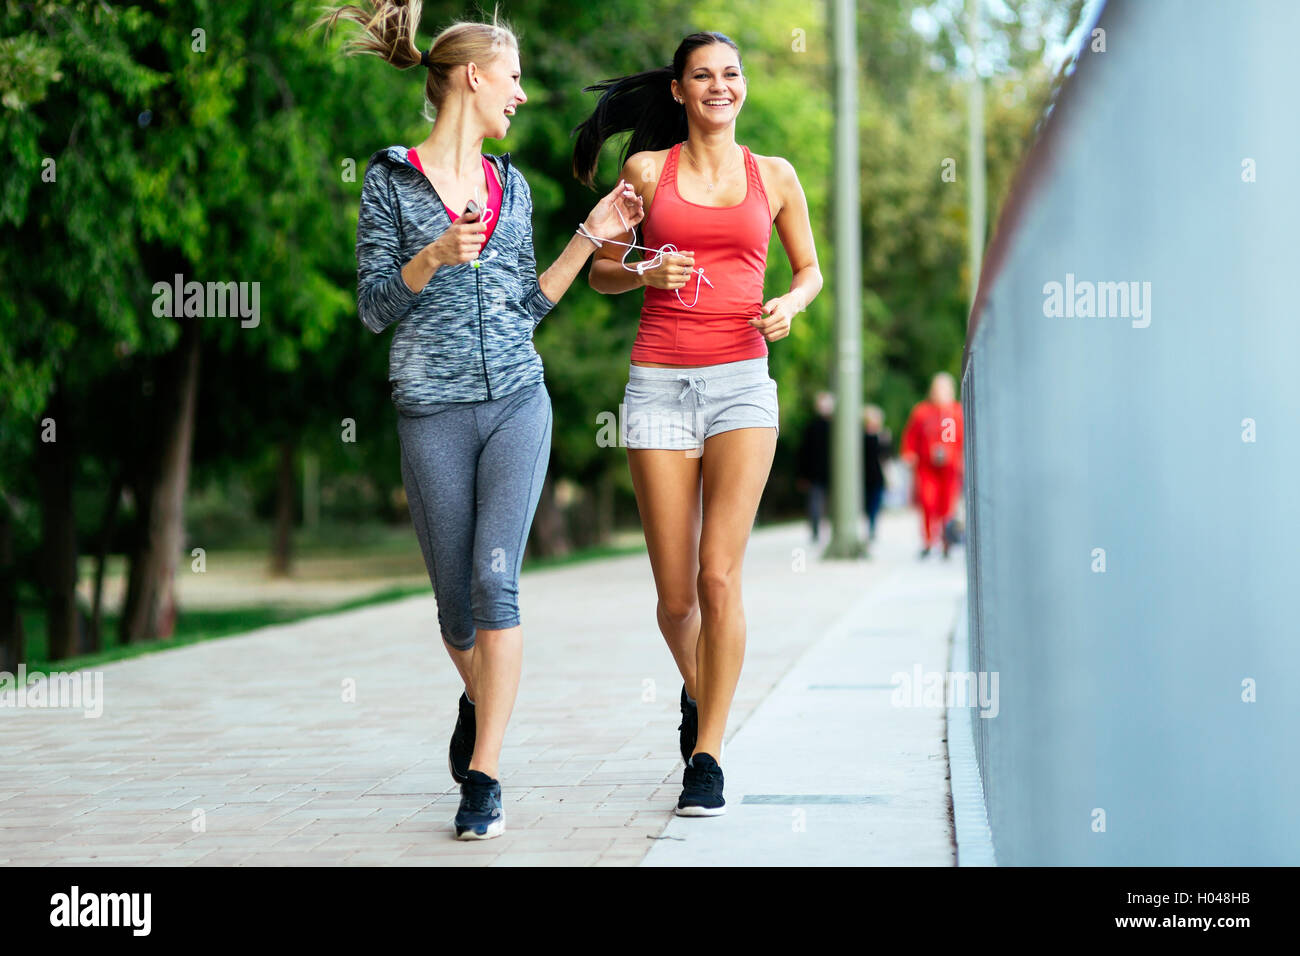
(642,103)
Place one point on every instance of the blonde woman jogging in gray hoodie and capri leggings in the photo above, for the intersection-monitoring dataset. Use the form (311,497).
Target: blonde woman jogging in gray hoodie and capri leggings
(445,257)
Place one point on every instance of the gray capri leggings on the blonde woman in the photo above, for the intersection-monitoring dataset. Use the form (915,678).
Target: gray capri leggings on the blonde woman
(474,474)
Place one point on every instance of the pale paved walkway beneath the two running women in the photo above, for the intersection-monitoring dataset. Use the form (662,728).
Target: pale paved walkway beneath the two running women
(248,751)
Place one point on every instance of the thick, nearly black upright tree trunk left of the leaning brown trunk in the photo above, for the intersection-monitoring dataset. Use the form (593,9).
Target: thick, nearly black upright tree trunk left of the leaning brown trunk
(55,468)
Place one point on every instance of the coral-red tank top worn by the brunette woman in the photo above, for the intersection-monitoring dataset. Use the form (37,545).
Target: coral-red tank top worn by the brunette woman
(731,246)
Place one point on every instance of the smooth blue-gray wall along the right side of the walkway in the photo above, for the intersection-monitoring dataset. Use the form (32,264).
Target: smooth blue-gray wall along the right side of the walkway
(1123,691)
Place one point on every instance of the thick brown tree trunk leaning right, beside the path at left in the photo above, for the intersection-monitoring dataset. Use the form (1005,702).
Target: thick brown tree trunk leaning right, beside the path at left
(150,609)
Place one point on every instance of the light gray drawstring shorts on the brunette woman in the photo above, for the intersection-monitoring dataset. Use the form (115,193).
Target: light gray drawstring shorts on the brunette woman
(681,408)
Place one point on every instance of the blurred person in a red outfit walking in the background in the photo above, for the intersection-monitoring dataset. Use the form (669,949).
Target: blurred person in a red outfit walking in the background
(933,447)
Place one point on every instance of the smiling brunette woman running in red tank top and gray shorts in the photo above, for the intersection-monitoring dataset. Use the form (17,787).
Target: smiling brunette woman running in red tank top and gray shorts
(700,406)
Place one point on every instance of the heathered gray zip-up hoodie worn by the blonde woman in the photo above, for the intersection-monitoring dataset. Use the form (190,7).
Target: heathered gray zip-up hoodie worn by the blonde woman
(469,335)
